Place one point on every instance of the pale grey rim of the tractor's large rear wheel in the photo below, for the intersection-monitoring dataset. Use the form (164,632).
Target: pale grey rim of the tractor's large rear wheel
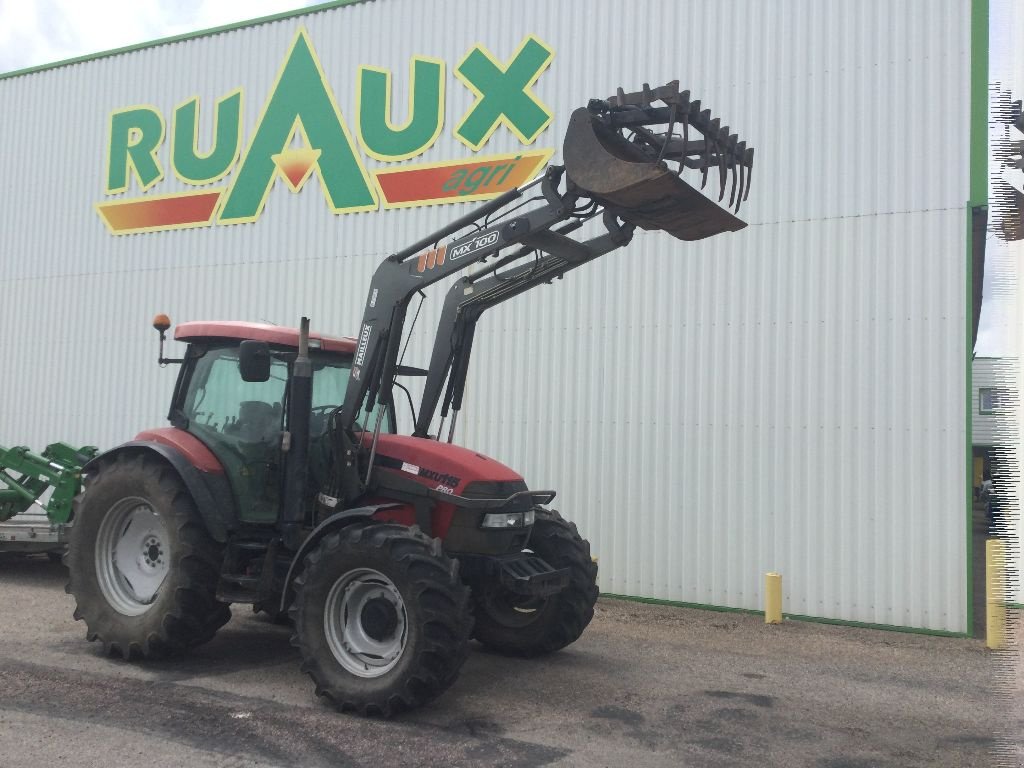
(133,557)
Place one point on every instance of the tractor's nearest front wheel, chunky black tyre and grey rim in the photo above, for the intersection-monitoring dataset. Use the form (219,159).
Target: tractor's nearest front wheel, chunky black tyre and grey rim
(382,621)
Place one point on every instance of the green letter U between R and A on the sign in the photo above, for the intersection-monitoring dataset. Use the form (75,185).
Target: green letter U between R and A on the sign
(189,164)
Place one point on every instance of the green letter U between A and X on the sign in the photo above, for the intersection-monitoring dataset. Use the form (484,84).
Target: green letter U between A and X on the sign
(379,136)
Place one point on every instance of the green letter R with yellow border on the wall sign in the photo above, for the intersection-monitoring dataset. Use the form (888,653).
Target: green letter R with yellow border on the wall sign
(136,135)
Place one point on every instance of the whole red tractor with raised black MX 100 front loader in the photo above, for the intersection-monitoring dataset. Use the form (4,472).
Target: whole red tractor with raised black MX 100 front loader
(283,483)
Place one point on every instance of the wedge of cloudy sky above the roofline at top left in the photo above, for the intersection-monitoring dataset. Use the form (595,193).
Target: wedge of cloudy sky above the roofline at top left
(38,32)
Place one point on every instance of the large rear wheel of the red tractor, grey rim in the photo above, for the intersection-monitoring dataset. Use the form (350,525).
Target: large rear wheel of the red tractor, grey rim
(143,569)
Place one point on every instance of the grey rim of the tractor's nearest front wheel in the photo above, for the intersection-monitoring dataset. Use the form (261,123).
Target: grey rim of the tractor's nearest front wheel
(365,623)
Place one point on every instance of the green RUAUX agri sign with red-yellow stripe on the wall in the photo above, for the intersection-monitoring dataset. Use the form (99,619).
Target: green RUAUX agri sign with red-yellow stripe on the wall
(302,131)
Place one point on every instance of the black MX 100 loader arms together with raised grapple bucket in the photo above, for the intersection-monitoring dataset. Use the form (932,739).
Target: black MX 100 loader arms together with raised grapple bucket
(615,165)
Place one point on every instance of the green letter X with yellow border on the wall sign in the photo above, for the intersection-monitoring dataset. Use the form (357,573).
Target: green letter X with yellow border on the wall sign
(504,95)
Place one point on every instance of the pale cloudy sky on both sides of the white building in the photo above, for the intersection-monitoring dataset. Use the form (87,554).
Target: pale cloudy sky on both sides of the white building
(39,32)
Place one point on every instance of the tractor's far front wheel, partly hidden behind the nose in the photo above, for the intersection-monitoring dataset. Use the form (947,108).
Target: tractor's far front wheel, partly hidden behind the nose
(529,627)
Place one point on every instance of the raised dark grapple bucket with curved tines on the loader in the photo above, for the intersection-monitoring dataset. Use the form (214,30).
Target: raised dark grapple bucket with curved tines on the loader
(632,177)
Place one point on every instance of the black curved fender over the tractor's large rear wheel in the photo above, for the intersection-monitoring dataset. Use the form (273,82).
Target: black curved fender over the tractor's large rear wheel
(211,492)
